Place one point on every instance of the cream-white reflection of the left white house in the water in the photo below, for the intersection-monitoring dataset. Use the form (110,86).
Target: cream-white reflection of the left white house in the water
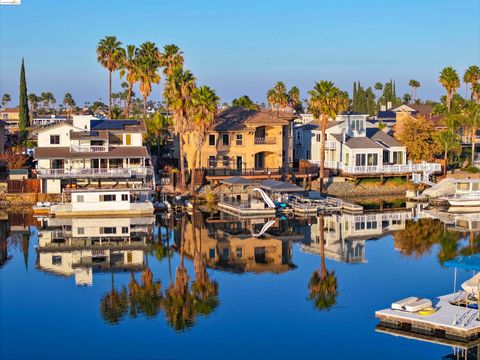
(81,246)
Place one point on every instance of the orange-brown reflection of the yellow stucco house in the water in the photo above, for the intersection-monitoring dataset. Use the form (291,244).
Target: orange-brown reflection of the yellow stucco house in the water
(238,245)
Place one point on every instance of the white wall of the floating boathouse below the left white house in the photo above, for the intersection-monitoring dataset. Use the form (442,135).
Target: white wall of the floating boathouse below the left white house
(91,201)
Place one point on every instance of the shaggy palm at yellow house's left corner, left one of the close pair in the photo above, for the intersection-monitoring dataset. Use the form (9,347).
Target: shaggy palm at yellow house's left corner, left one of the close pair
(178,96)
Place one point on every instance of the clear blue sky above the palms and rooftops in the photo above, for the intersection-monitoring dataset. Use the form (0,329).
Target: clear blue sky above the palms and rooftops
(242,46)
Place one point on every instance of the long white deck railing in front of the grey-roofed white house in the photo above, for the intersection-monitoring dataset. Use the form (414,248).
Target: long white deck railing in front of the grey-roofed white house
(382,169)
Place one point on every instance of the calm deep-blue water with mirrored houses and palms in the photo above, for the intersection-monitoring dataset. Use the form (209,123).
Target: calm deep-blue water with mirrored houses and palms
(215,286)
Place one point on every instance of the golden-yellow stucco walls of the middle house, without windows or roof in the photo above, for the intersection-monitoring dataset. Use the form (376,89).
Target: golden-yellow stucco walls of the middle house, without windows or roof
(248,149)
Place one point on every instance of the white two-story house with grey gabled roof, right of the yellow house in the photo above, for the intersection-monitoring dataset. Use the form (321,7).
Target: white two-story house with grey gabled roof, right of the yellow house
(355,146)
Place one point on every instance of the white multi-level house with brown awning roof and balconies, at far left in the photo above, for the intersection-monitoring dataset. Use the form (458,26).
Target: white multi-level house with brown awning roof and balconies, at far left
(87,152)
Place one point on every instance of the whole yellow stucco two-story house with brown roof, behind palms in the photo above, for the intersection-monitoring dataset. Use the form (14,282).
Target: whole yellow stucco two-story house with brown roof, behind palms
(245,139)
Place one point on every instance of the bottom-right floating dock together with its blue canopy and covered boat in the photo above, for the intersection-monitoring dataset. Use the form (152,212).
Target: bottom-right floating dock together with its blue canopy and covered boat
(457,315)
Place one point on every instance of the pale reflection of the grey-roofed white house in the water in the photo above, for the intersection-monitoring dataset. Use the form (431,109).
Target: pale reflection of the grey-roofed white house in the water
(346,234)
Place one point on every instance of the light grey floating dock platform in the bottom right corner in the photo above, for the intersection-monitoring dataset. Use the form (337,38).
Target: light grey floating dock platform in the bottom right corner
(450,322)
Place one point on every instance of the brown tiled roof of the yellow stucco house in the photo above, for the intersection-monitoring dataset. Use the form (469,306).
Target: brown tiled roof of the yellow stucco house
(239,118)
